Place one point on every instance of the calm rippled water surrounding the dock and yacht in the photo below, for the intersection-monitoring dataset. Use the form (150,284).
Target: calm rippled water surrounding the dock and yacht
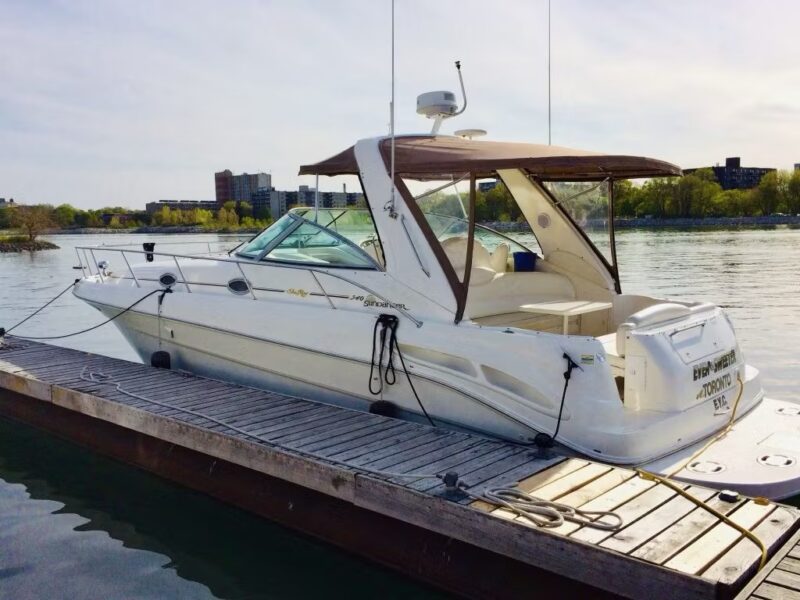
(76,525)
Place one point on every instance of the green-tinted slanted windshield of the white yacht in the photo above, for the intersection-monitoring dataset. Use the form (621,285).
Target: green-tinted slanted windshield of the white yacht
(295,239)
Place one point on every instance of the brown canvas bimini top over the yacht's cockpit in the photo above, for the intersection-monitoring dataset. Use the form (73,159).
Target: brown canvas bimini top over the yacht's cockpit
(439,157)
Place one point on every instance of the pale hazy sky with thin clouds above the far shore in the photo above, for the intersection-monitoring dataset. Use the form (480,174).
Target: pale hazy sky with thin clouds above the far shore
(106,103)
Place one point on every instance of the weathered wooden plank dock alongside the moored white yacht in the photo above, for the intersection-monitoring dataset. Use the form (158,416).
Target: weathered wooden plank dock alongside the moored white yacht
(333,473)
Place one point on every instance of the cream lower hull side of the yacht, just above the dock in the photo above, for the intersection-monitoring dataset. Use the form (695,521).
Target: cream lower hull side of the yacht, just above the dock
(295,371)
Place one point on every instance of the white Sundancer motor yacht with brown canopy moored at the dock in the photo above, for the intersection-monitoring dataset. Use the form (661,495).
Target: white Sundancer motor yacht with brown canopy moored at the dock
(407,302)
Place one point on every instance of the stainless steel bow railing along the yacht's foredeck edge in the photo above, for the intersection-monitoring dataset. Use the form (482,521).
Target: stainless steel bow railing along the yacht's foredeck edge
(89,266)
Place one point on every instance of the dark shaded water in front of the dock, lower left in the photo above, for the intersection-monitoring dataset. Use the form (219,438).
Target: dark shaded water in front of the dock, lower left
(74,524)
